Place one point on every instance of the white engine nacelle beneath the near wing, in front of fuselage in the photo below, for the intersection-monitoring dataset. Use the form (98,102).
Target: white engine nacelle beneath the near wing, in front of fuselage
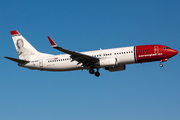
(105,62)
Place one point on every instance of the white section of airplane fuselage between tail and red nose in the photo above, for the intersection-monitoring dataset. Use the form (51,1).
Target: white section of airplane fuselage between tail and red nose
(124,55)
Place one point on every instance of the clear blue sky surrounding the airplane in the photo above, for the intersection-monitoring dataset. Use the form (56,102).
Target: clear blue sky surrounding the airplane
(142,91)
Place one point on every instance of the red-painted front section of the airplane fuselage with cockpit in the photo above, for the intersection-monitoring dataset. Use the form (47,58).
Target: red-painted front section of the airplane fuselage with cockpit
(147,53)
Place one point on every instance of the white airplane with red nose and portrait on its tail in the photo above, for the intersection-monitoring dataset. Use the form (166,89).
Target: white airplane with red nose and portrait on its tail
(110,59)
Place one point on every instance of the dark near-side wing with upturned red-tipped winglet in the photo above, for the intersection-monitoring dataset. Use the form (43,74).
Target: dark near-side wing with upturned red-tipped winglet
(79,57)
